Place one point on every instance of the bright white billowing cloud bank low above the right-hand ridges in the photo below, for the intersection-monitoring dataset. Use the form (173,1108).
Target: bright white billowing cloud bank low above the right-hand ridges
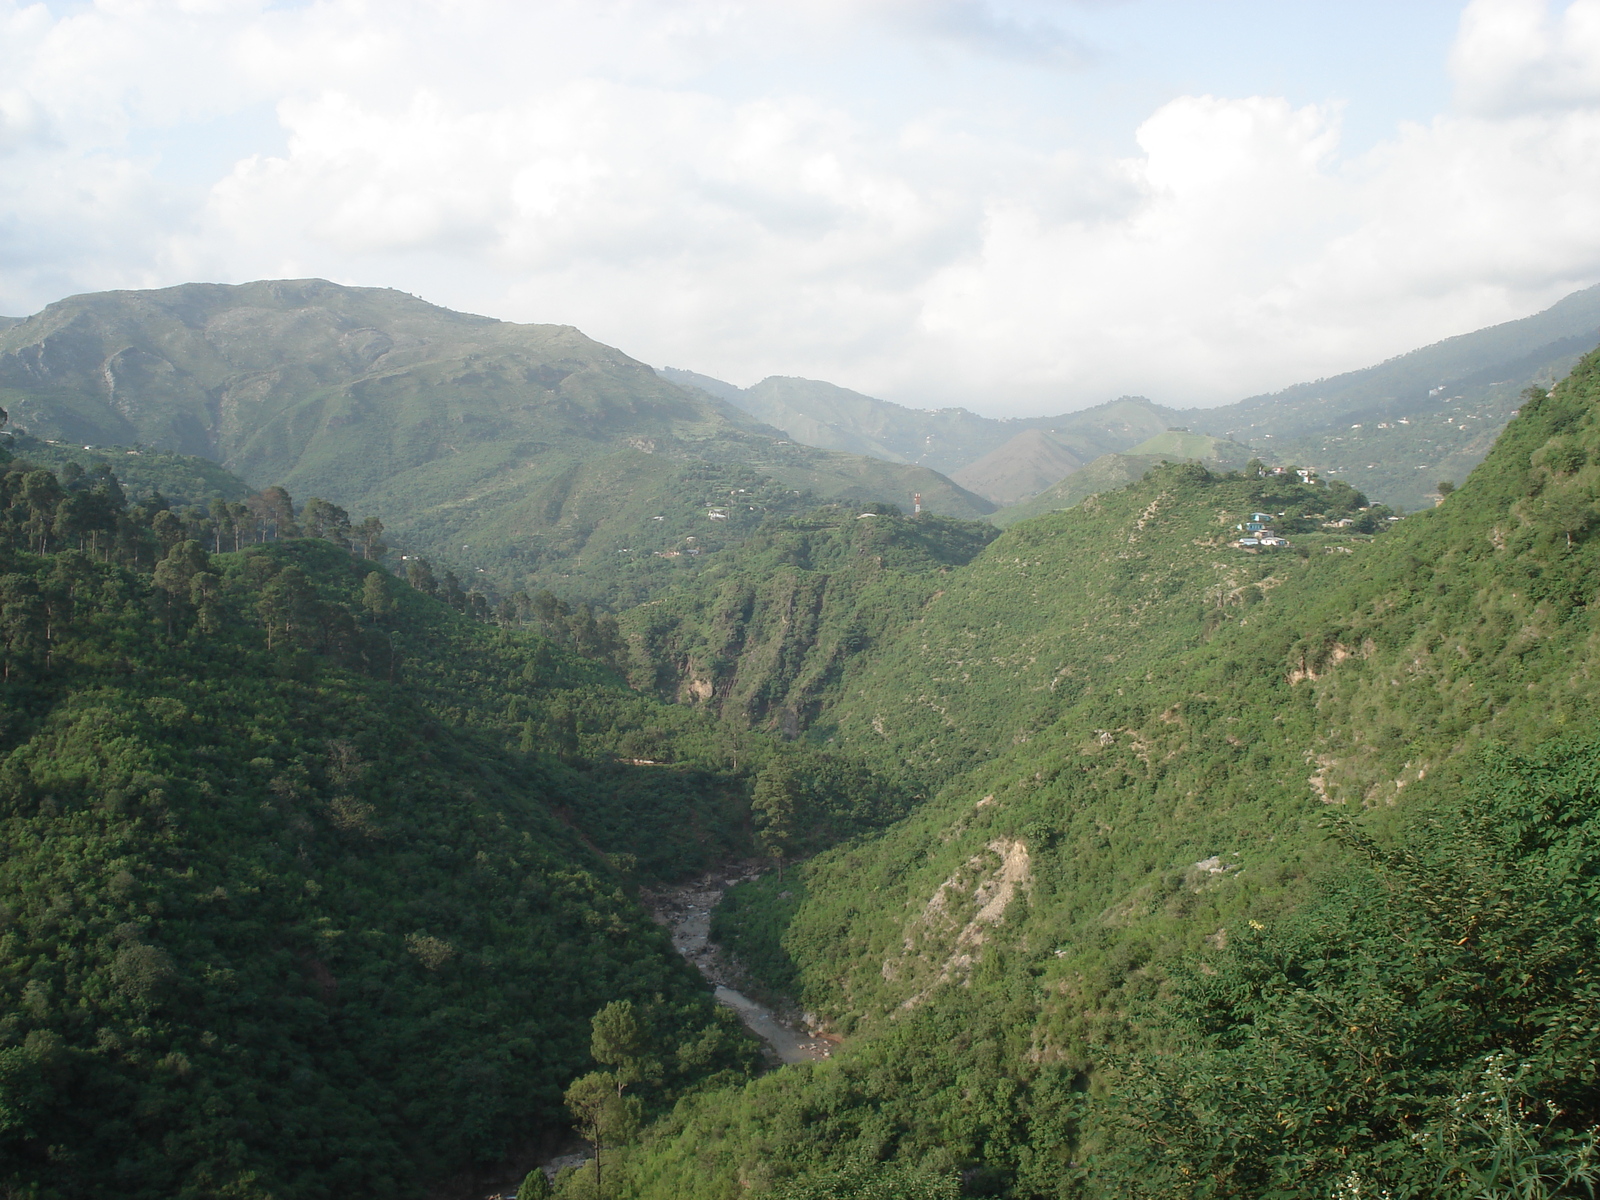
(1257,257)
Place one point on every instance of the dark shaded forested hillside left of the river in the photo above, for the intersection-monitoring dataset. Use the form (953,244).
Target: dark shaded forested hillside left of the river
(313,882)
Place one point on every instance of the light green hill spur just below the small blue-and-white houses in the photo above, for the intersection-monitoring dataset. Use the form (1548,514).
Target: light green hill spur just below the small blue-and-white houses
(1065,609)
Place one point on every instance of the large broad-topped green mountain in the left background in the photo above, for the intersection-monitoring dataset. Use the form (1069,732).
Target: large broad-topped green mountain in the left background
(530,452)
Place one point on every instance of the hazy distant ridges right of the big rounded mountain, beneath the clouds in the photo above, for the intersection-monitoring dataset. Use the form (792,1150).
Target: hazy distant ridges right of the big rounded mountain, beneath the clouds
(1439,410)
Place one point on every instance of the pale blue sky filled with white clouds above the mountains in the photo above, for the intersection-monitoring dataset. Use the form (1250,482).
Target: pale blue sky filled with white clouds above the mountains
(1012,206)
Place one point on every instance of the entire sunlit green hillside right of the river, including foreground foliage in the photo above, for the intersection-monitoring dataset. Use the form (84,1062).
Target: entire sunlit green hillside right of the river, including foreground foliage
(1319,831)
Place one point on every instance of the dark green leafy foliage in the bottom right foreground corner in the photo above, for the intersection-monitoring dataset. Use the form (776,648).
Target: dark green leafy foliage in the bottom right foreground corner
(1426,1028)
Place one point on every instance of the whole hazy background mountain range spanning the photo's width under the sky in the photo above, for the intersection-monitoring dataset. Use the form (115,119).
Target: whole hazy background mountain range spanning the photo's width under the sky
(585,465)
